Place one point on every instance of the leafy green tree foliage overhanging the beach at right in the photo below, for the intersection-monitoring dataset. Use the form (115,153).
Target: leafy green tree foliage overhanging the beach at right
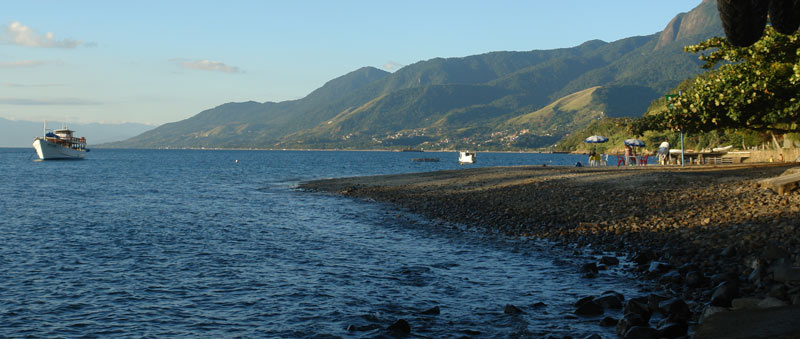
(755,88)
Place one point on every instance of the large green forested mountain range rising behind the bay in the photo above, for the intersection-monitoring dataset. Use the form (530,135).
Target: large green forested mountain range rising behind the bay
(497,100)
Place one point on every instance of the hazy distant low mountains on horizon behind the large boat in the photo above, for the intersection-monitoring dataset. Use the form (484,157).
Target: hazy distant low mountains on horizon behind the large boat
(20,133)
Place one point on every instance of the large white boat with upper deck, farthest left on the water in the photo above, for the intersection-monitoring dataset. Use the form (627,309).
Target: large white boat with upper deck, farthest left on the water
(60,144)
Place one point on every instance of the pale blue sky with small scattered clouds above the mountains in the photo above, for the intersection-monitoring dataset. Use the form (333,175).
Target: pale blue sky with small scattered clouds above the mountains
(156,62)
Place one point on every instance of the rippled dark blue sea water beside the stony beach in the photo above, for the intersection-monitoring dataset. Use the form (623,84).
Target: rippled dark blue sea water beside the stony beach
(190,243)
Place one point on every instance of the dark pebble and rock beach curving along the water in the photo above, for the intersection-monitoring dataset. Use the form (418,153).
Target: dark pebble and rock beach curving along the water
(715,243)
